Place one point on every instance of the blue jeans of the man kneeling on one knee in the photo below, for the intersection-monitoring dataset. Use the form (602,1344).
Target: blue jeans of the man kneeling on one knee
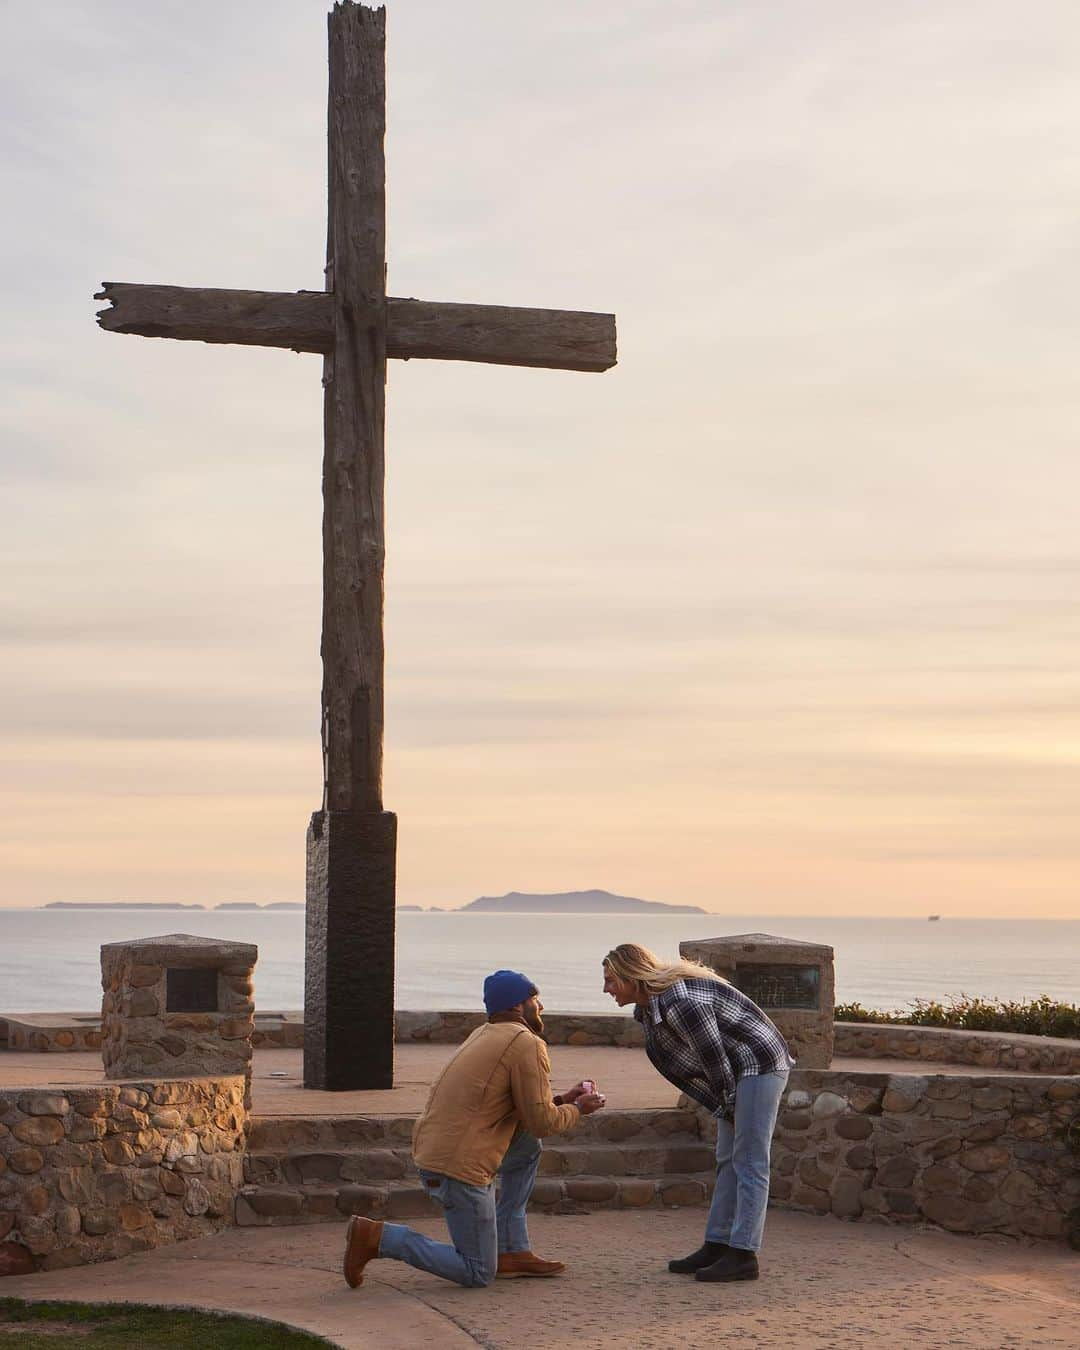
(481,1226)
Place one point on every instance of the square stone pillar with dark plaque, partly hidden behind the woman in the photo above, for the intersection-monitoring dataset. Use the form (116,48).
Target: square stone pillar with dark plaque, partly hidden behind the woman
(792,982)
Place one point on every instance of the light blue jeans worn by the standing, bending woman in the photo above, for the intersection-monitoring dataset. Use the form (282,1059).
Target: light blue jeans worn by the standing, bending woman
(738,1214)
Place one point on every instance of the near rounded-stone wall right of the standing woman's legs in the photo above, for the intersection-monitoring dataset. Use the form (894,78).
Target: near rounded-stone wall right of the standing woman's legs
(973,1155)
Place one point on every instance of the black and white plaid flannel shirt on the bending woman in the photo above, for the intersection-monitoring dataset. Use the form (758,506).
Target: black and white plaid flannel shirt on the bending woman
(704,1036)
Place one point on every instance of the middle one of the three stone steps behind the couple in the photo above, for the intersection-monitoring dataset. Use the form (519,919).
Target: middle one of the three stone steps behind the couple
(641,1156)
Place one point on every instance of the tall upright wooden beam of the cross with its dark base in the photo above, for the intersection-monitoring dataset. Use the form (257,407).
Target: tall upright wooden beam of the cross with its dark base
(349,1004)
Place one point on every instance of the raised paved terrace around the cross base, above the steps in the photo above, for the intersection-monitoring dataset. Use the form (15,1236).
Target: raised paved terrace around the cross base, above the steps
(626,1077)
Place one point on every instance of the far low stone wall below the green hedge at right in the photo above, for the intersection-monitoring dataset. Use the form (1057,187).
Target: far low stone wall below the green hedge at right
(943,1046)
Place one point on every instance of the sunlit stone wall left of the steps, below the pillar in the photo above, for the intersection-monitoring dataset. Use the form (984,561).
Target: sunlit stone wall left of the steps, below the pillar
(90,1174)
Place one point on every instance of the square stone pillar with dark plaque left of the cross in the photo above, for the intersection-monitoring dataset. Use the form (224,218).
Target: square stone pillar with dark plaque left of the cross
(178,1006)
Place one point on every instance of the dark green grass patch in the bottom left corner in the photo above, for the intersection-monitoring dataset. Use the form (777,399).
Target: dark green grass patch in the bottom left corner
(118,1326)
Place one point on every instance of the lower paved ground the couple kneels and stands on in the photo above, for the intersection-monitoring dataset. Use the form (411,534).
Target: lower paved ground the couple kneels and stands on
(826,1285)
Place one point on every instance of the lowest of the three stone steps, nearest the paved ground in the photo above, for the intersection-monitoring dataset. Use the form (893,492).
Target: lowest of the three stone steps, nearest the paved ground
(269,1206)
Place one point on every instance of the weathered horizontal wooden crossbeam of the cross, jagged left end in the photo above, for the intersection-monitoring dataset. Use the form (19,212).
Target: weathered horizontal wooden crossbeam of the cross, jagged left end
(551,340)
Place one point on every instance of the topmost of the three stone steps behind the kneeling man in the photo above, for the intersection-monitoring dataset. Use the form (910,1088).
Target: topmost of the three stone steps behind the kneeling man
(290,1132)
